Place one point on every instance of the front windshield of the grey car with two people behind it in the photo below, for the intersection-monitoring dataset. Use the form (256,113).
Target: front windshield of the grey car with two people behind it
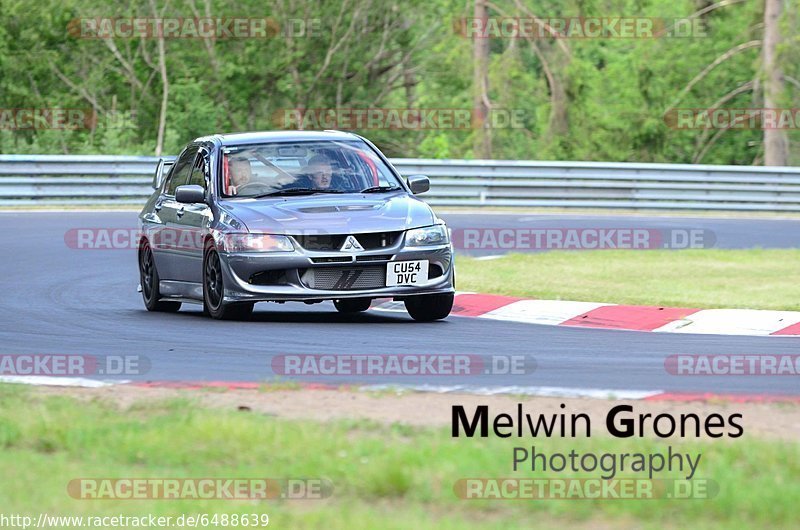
(298,168)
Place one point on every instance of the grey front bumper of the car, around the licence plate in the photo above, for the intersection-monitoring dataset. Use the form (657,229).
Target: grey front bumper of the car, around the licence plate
(290,274)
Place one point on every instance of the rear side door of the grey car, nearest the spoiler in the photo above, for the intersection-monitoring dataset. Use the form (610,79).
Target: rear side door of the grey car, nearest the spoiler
(167,248)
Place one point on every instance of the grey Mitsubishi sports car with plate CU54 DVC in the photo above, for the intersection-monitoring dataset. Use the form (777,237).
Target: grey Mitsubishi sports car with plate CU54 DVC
(291,216)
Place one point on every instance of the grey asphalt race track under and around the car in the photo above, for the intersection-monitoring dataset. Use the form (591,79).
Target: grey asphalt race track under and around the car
(62,300)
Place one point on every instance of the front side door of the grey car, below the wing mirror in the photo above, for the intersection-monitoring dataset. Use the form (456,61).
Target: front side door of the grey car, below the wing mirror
(192,222)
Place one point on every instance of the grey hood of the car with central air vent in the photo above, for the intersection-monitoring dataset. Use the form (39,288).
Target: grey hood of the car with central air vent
(334,214)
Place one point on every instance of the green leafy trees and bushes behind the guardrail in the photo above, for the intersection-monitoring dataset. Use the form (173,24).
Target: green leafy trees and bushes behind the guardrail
(604,99)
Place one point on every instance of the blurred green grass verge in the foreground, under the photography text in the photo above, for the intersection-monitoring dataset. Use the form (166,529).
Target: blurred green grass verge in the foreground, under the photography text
(383,476)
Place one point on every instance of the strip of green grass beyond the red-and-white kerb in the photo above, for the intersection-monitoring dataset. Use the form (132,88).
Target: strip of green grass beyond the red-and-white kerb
(754,279)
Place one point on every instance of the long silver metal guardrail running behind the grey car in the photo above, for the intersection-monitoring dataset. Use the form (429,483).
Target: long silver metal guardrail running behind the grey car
(93,180)
